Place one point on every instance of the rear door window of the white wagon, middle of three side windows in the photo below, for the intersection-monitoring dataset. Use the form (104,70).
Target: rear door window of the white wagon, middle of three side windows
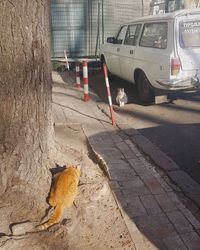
(132,34)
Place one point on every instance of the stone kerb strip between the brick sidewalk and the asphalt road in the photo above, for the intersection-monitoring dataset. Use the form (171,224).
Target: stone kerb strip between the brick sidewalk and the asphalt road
(182,179)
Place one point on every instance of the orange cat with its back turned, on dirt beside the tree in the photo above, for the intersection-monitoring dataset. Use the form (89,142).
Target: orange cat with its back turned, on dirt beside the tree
(63,193)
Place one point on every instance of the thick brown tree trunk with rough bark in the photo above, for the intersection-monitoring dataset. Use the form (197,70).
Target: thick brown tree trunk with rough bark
(26,127)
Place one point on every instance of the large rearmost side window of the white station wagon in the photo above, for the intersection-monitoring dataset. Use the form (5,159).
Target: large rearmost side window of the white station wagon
(154,35)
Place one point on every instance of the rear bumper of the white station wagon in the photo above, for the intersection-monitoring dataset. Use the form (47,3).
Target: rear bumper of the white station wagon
(187,83)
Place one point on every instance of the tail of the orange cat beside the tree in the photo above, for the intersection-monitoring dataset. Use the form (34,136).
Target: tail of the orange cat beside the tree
(55,218)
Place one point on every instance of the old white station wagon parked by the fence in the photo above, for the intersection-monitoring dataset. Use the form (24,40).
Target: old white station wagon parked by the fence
(159,52)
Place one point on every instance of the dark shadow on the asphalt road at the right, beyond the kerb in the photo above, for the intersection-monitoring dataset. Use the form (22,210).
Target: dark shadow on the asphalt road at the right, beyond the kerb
(177,140)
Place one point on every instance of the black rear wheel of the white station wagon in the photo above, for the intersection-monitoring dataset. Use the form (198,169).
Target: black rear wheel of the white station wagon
(145,91)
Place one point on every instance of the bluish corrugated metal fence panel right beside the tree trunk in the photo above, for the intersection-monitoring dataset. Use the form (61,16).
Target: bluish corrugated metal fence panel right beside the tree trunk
(68,27)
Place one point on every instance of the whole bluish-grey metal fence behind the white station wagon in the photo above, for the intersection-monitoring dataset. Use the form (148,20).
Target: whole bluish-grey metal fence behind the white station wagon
(79,26)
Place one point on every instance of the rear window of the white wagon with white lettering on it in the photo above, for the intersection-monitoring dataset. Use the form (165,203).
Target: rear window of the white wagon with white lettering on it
(190,34)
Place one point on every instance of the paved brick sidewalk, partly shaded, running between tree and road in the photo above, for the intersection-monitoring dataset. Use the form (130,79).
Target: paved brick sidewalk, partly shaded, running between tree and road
(153,208)
